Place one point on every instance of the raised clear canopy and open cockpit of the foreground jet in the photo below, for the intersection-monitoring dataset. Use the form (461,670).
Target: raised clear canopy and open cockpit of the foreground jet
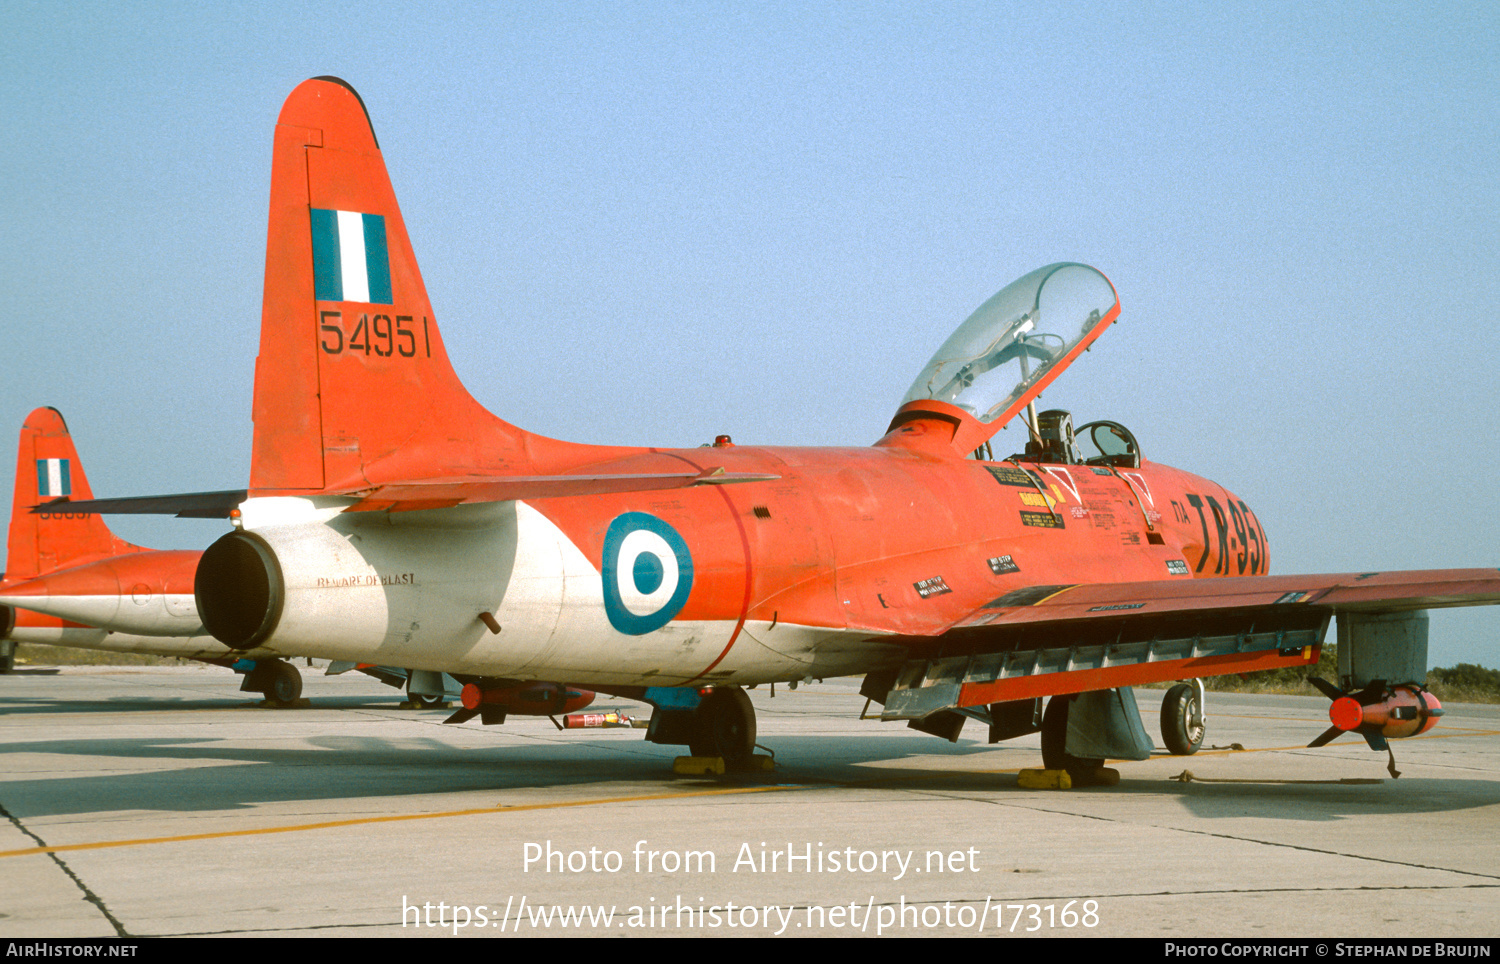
(1001,359)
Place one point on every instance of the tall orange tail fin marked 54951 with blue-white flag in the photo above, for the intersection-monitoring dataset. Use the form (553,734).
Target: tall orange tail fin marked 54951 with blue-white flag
(353,386)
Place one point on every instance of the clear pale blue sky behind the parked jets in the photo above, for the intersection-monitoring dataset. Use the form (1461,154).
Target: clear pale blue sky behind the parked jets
(650,224)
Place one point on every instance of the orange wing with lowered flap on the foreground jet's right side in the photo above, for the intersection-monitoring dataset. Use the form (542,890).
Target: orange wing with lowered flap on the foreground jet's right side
(1045,641)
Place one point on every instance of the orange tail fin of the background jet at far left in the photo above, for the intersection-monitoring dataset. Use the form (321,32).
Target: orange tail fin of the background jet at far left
(49,469)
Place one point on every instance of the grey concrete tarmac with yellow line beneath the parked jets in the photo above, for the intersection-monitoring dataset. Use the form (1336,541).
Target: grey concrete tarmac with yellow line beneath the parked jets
(166,803)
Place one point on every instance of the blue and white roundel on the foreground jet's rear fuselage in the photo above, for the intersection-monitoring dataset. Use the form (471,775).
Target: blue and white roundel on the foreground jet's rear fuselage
(647,572)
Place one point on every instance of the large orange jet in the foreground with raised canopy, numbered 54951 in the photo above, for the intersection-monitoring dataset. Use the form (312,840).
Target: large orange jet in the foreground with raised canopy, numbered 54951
(392,519)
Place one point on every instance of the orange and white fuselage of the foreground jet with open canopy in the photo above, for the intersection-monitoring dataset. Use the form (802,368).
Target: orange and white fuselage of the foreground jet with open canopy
(811,575)
